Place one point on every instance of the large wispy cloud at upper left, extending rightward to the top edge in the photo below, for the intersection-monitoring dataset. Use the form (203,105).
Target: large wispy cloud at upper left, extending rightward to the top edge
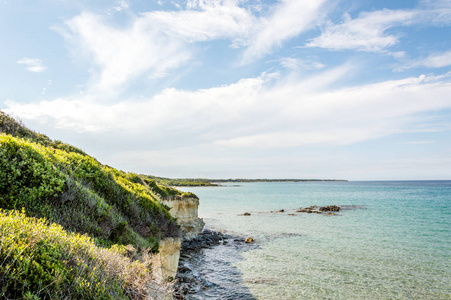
(156,43)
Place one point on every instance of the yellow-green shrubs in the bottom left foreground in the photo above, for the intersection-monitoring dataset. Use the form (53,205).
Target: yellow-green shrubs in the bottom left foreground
(42,261)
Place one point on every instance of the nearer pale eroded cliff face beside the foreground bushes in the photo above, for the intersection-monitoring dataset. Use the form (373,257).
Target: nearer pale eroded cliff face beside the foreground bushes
(165,262)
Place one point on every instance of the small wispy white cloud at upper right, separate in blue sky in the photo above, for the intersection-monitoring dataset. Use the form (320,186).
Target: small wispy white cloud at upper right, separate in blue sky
(365,33)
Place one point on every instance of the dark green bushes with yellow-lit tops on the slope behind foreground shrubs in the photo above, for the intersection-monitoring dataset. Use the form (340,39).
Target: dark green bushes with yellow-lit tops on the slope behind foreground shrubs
(76,191)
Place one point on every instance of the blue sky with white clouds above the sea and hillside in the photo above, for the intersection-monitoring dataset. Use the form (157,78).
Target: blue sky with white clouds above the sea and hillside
(357,90)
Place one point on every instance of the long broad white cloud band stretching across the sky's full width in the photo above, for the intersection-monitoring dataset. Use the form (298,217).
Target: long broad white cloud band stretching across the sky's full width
(257,113)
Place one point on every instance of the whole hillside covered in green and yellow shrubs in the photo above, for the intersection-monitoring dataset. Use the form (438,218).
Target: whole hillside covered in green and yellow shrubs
(99,210)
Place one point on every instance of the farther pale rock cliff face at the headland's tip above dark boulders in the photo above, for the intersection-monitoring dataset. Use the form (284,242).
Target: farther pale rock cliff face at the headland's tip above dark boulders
(185,210)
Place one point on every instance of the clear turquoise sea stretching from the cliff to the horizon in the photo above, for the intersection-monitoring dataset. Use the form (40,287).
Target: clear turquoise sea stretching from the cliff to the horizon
(390,240)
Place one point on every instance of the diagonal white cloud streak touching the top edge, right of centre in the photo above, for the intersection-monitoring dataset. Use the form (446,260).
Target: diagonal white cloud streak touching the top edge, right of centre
(289,19)
